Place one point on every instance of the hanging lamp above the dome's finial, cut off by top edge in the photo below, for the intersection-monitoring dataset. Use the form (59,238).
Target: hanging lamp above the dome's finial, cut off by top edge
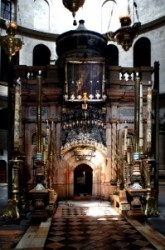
(73,6)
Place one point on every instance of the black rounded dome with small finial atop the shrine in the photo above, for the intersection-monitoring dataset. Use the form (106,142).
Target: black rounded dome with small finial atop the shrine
(81,43)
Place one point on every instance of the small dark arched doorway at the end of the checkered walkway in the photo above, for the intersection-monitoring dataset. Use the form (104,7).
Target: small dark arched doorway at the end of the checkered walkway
(83,180)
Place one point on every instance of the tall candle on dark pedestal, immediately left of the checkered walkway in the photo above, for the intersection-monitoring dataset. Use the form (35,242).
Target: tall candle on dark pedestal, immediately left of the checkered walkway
(42,203)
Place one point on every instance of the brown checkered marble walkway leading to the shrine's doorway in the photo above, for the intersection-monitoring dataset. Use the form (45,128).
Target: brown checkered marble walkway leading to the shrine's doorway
(96,226)
